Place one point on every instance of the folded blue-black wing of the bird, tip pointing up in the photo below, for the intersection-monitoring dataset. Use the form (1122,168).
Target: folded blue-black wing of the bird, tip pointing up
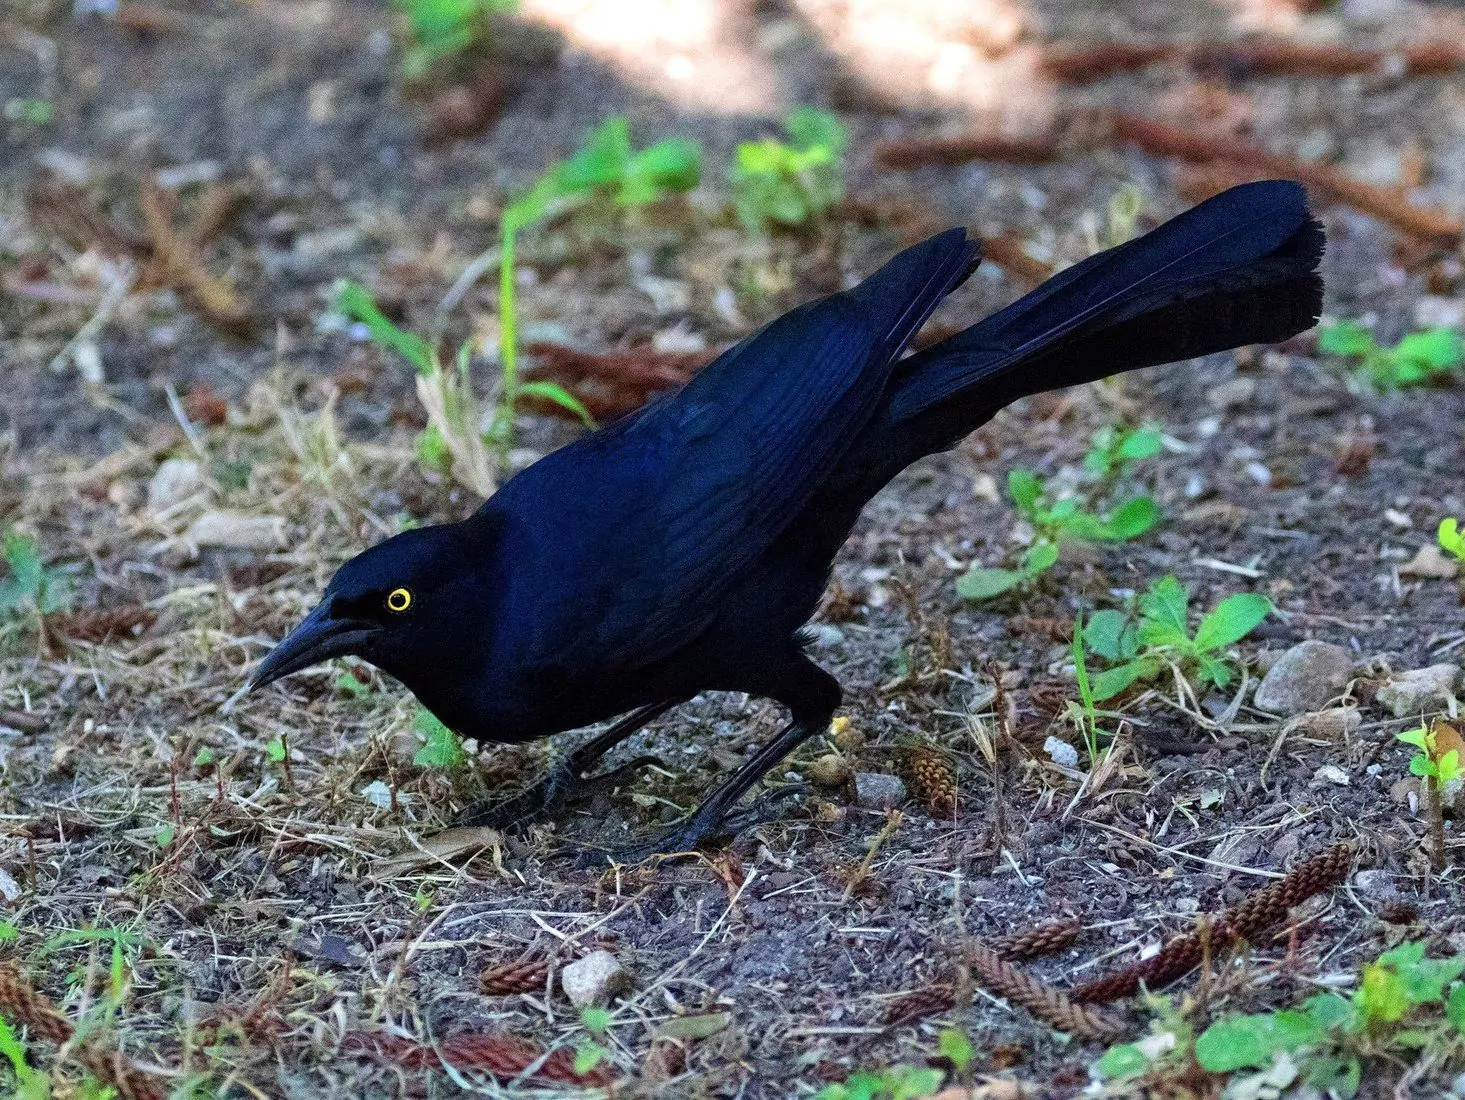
(654,519)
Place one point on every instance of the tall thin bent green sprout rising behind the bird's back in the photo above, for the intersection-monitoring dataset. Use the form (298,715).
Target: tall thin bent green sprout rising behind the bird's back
(606,168)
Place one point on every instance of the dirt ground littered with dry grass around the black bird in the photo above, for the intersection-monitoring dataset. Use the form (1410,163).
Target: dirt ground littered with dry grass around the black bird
(272,872)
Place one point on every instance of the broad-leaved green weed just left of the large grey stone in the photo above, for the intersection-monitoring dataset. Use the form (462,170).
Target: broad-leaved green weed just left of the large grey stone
(1160,639)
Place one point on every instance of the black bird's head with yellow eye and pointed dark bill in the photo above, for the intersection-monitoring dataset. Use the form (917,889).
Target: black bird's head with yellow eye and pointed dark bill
(389,606)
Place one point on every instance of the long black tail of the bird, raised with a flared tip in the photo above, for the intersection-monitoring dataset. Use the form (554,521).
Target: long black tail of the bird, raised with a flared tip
(1240,269)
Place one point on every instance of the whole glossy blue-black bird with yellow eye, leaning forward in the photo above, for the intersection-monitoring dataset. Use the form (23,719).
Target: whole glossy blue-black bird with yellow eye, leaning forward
(682,549)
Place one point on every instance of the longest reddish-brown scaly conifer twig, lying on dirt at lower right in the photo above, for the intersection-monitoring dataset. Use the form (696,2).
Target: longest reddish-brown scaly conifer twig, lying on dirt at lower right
(1258,915)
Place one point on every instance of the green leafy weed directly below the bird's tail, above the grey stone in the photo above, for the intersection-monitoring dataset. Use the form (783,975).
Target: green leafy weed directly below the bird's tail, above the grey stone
(1070,518)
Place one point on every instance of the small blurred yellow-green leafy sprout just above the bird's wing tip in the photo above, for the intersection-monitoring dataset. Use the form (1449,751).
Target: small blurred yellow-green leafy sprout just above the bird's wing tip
(790,184)
